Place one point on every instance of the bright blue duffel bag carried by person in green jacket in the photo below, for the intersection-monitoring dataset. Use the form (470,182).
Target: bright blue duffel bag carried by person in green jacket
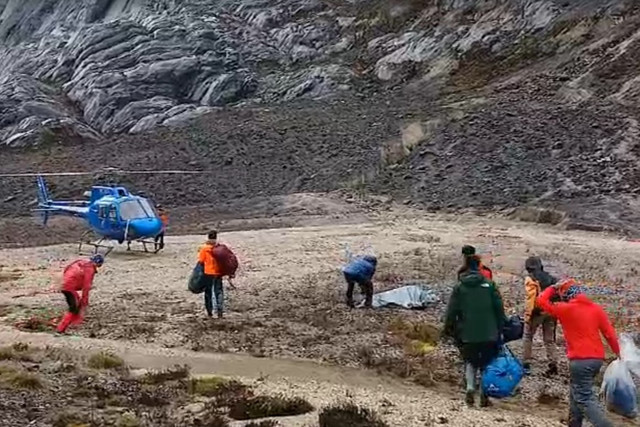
(503,375)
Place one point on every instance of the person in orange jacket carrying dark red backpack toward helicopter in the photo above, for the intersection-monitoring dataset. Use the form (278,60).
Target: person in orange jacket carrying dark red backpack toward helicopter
(218,261)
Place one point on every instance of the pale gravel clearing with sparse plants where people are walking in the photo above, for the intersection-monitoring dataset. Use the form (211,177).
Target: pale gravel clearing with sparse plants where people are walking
(289,304)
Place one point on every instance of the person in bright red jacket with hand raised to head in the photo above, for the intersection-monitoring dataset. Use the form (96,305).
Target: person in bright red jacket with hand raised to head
(583,321)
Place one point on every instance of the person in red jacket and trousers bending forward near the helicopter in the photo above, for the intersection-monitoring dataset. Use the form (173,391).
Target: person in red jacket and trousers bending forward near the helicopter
(78,276)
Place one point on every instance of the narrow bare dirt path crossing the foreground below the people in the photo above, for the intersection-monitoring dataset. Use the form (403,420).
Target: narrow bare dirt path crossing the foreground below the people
(320,384)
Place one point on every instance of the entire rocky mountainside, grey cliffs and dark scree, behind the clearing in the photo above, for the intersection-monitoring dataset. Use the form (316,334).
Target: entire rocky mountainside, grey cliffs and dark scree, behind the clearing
(447,103)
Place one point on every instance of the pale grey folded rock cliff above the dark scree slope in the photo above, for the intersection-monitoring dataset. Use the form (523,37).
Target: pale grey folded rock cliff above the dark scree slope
(102,67)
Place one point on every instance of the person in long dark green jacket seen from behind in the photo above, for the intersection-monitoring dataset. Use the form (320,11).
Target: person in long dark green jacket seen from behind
(475,318)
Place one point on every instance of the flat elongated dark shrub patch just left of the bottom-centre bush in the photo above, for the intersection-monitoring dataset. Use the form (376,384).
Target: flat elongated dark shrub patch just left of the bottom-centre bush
(268,406)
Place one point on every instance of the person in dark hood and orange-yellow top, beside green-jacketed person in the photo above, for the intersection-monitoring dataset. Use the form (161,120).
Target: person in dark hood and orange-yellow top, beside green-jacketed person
(535,283)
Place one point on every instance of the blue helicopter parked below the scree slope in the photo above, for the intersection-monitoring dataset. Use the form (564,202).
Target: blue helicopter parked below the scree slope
(112,213)
